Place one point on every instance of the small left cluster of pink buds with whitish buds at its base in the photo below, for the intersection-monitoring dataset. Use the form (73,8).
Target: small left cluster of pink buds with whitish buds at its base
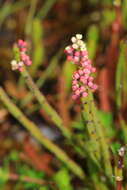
(24,58)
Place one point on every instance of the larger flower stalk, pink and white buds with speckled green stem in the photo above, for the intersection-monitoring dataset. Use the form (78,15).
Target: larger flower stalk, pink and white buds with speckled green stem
(82,86)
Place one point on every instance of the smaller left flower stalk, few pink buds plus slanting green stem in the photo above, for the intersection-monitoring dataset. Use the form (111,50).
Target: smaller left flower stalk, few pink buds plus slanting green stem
(20,63)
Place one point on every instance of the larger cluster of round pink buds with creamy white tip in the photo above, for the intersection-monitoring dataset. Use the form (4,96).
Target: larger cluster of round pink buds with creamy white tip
(81,78)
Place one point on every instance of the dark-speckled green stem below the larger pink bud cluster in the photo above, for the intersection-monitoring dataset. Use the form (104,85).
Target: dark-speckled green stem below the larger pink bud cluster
(96,131)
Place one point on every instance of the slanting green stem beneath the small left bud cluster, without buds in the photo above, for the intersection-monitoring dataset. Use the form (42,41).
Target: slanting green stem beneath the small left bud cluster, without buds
(45,105)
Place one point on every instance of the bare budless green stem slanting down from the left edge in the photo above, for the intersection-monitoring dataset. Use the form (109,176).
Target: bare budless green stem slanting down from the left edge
(35,132)
